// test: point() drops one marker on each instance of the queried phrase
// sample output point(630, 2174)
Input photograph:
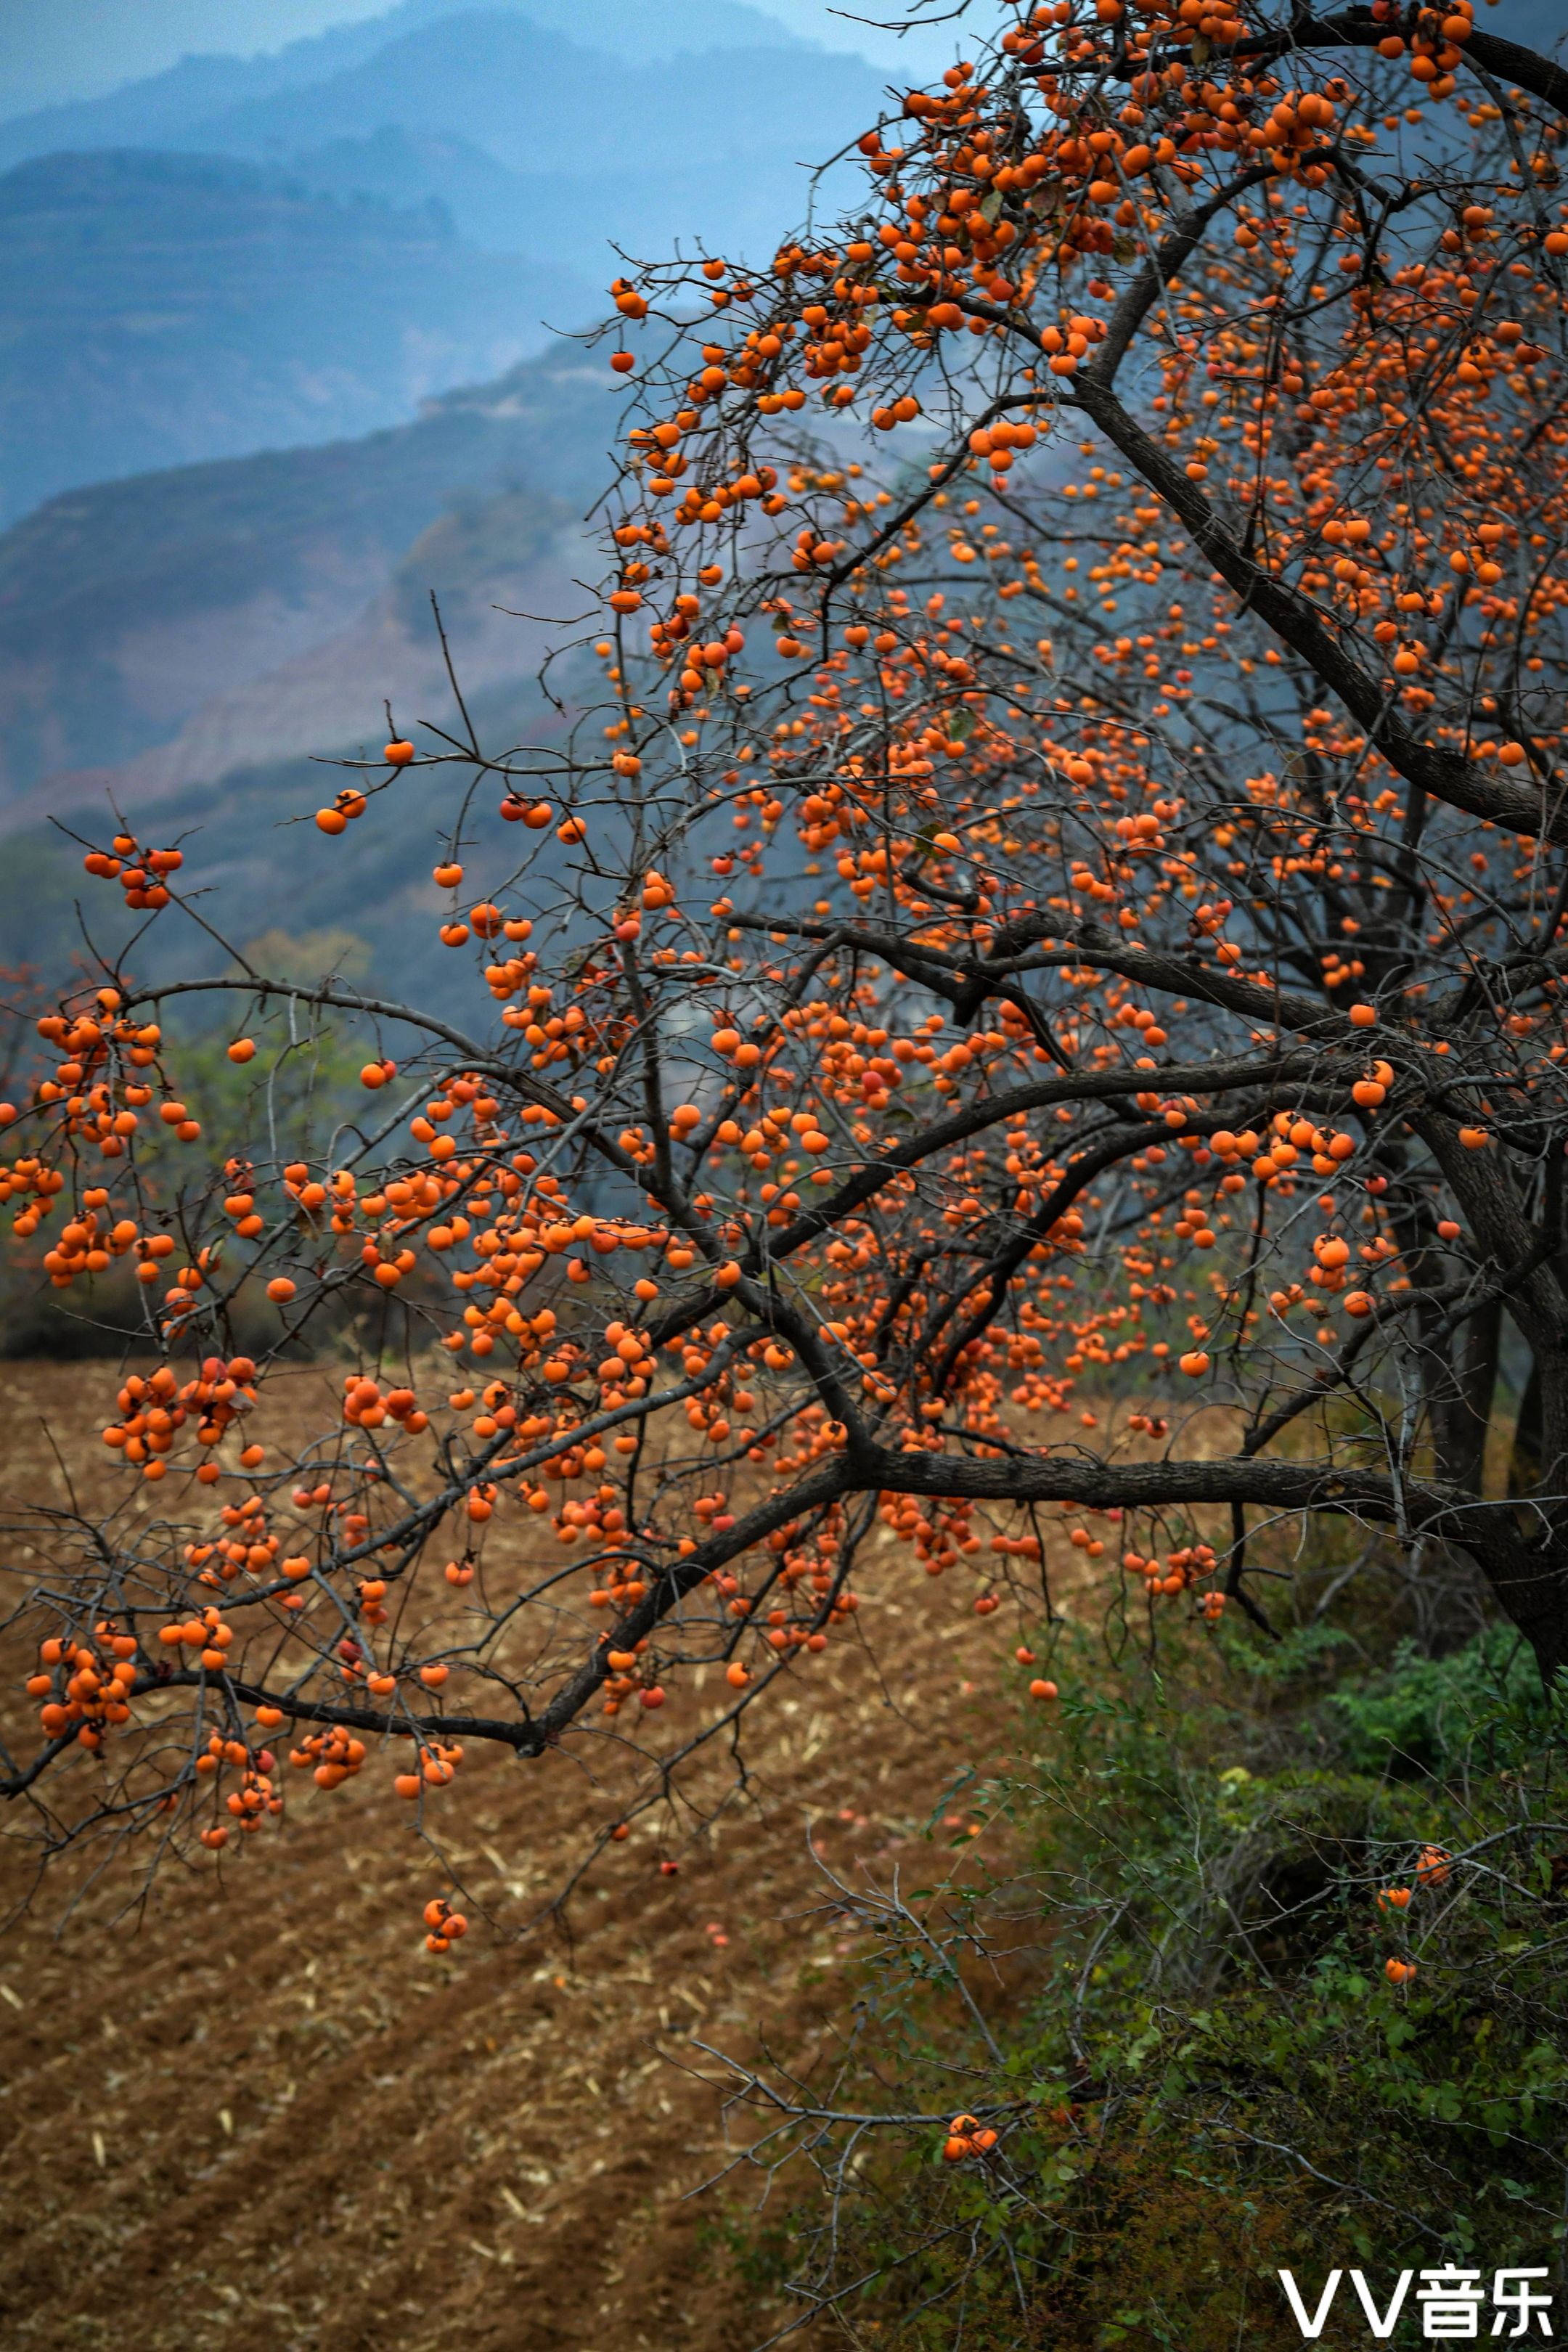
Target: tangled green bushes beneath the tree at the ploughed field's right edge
point(1172, 2010)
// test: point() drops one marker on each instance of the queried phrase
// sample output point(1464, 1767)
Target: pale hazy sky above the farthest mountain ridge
point(76, 48)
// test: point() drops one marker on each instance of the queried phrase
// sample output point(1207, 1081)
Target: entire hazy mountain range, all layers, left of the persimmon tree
point(281, 260)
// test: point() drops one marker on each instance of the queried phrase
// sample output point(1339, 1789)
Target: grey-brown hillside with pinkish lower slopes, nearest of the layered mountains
point(208, 606)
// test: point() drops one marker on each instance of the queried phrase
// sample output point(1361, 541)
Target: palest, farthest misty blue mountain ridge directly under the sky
point(544, 128)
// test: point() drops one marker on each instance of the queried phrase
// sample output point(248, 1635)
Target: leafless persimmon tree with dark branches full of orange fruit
point(1026, 994)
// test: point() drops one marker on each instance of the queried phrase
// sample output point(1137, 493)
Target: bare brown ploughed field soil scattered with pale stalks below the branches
point(253, 2113)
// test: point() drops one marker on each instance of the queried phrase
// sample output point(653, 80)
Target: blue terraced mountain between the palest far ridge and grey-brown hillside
point(161, 309)
